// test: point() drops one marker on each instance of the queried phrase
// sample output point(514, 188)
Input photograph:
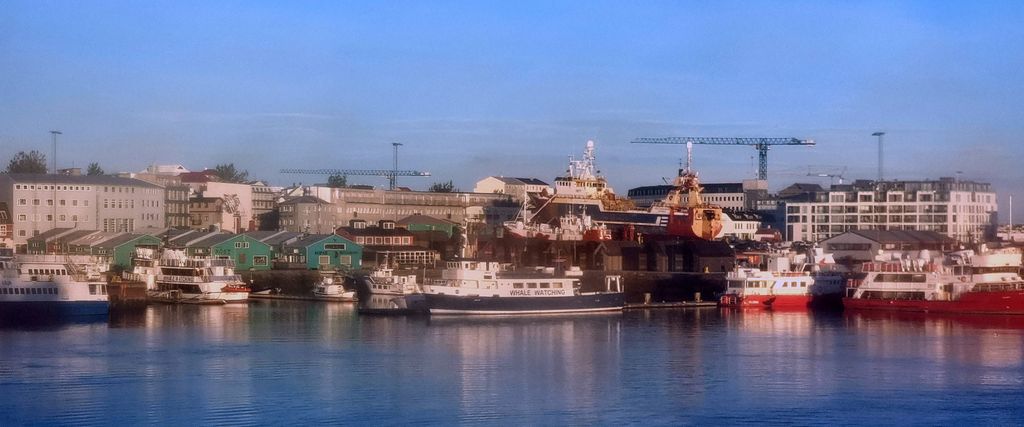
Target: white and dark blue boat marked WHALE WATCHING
point(487, 288)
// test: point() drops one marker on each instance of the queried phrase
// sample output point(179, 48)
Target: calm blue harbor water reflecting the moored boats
point(286, 362)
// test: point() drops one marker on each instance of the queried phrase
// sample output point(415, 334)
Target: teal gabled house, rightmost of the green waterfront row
point(322, 252)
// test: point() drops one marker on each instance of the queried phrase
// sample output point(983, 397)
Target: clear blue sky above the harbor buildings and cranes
point(514, 89)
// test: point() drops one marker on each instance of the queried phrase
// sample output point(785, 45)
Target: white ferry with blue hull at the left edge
point(34, 286)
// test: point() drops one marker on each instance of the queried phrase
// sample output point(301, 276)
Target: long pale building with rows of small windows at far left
point(40, 202)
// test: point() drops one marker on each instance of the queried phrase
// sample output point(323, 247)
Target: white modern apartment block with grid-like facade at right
point(962, 210)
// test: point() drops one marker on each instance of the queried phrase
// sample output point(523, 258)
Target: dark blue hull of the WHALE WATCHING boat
point(453, 305)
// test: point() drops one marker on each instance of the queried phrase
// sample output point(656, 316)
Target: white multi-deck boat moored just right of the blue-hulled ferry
point(197, 280)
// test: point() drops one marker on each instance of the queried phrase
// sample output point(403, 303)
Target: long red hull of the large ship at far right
point(1011, 303)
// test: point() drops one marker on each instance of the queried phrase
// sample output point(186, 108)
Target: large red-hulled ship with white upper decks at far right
point(985, 283)
